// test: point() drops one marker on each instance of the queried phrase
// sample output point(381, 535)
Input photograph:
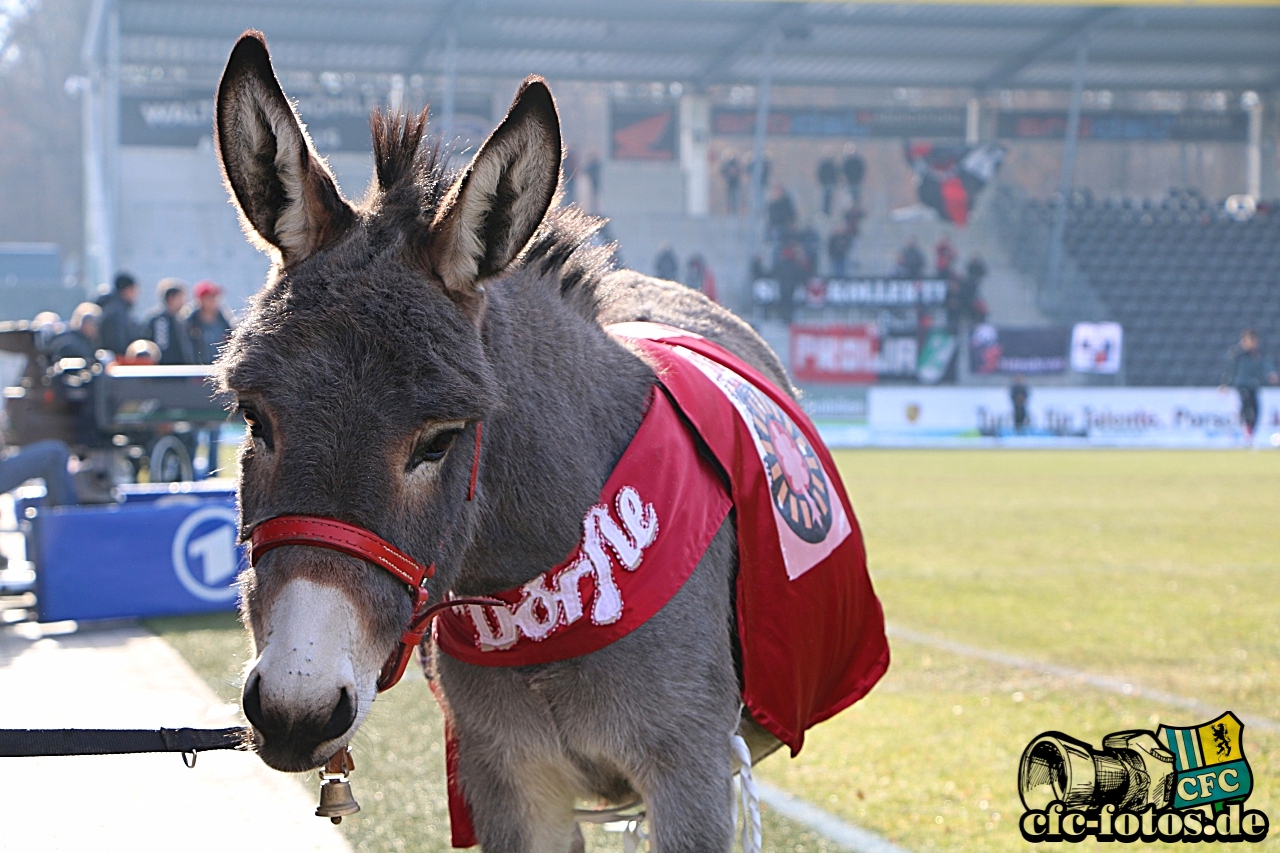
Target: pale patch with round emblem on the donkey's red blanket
point(811, 524)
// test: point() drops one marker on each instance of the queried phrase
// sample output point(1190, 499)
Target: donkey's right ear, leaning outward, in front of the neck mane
point(490, 215)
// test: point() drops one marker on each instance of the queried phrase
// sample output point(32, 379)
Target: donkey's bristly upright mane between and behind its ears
point(413, 179)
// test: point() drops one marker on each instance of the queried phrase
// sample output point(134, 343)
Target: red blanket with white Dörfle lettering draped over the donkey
point(810, 624)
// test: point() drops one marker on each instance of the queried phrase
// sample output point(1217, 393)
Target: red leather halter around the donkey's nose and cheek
point(364, 545)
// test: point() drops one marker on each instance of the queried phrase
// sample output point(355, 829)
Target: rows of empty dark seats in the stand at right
point(1181, 275)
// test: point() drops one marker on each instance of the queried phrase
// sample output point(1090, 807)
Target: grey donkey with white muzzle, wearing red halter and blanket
point(386, 332)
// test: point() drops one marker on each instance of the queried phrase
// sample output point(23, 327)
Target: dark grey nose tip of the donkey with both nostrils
point(290, 741)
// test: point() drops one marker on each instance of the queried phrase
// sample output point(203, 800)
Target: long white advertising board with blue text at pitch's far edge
point(1060, 418)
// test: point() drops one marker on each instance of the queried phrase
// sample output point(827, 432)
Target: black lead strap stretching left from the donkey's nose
point(26, 743)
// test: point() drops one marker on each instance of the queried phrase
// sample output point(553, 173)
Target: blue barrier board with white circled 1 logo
point(163, 558)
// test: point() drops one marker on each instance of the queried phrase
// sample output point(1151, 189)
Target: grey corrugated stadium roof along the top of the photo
point(703, 43)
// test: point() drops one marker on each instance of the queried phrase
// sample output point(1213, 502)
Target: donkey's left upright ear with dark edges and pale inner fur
point(285, 191)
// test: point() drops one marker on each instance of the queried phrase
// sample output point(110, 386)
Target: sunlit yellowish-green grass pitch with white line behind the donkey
point(1160, 568)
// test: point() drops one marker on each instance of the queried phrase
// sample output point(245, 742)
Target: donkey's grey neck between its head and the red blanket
point(573, 399)
